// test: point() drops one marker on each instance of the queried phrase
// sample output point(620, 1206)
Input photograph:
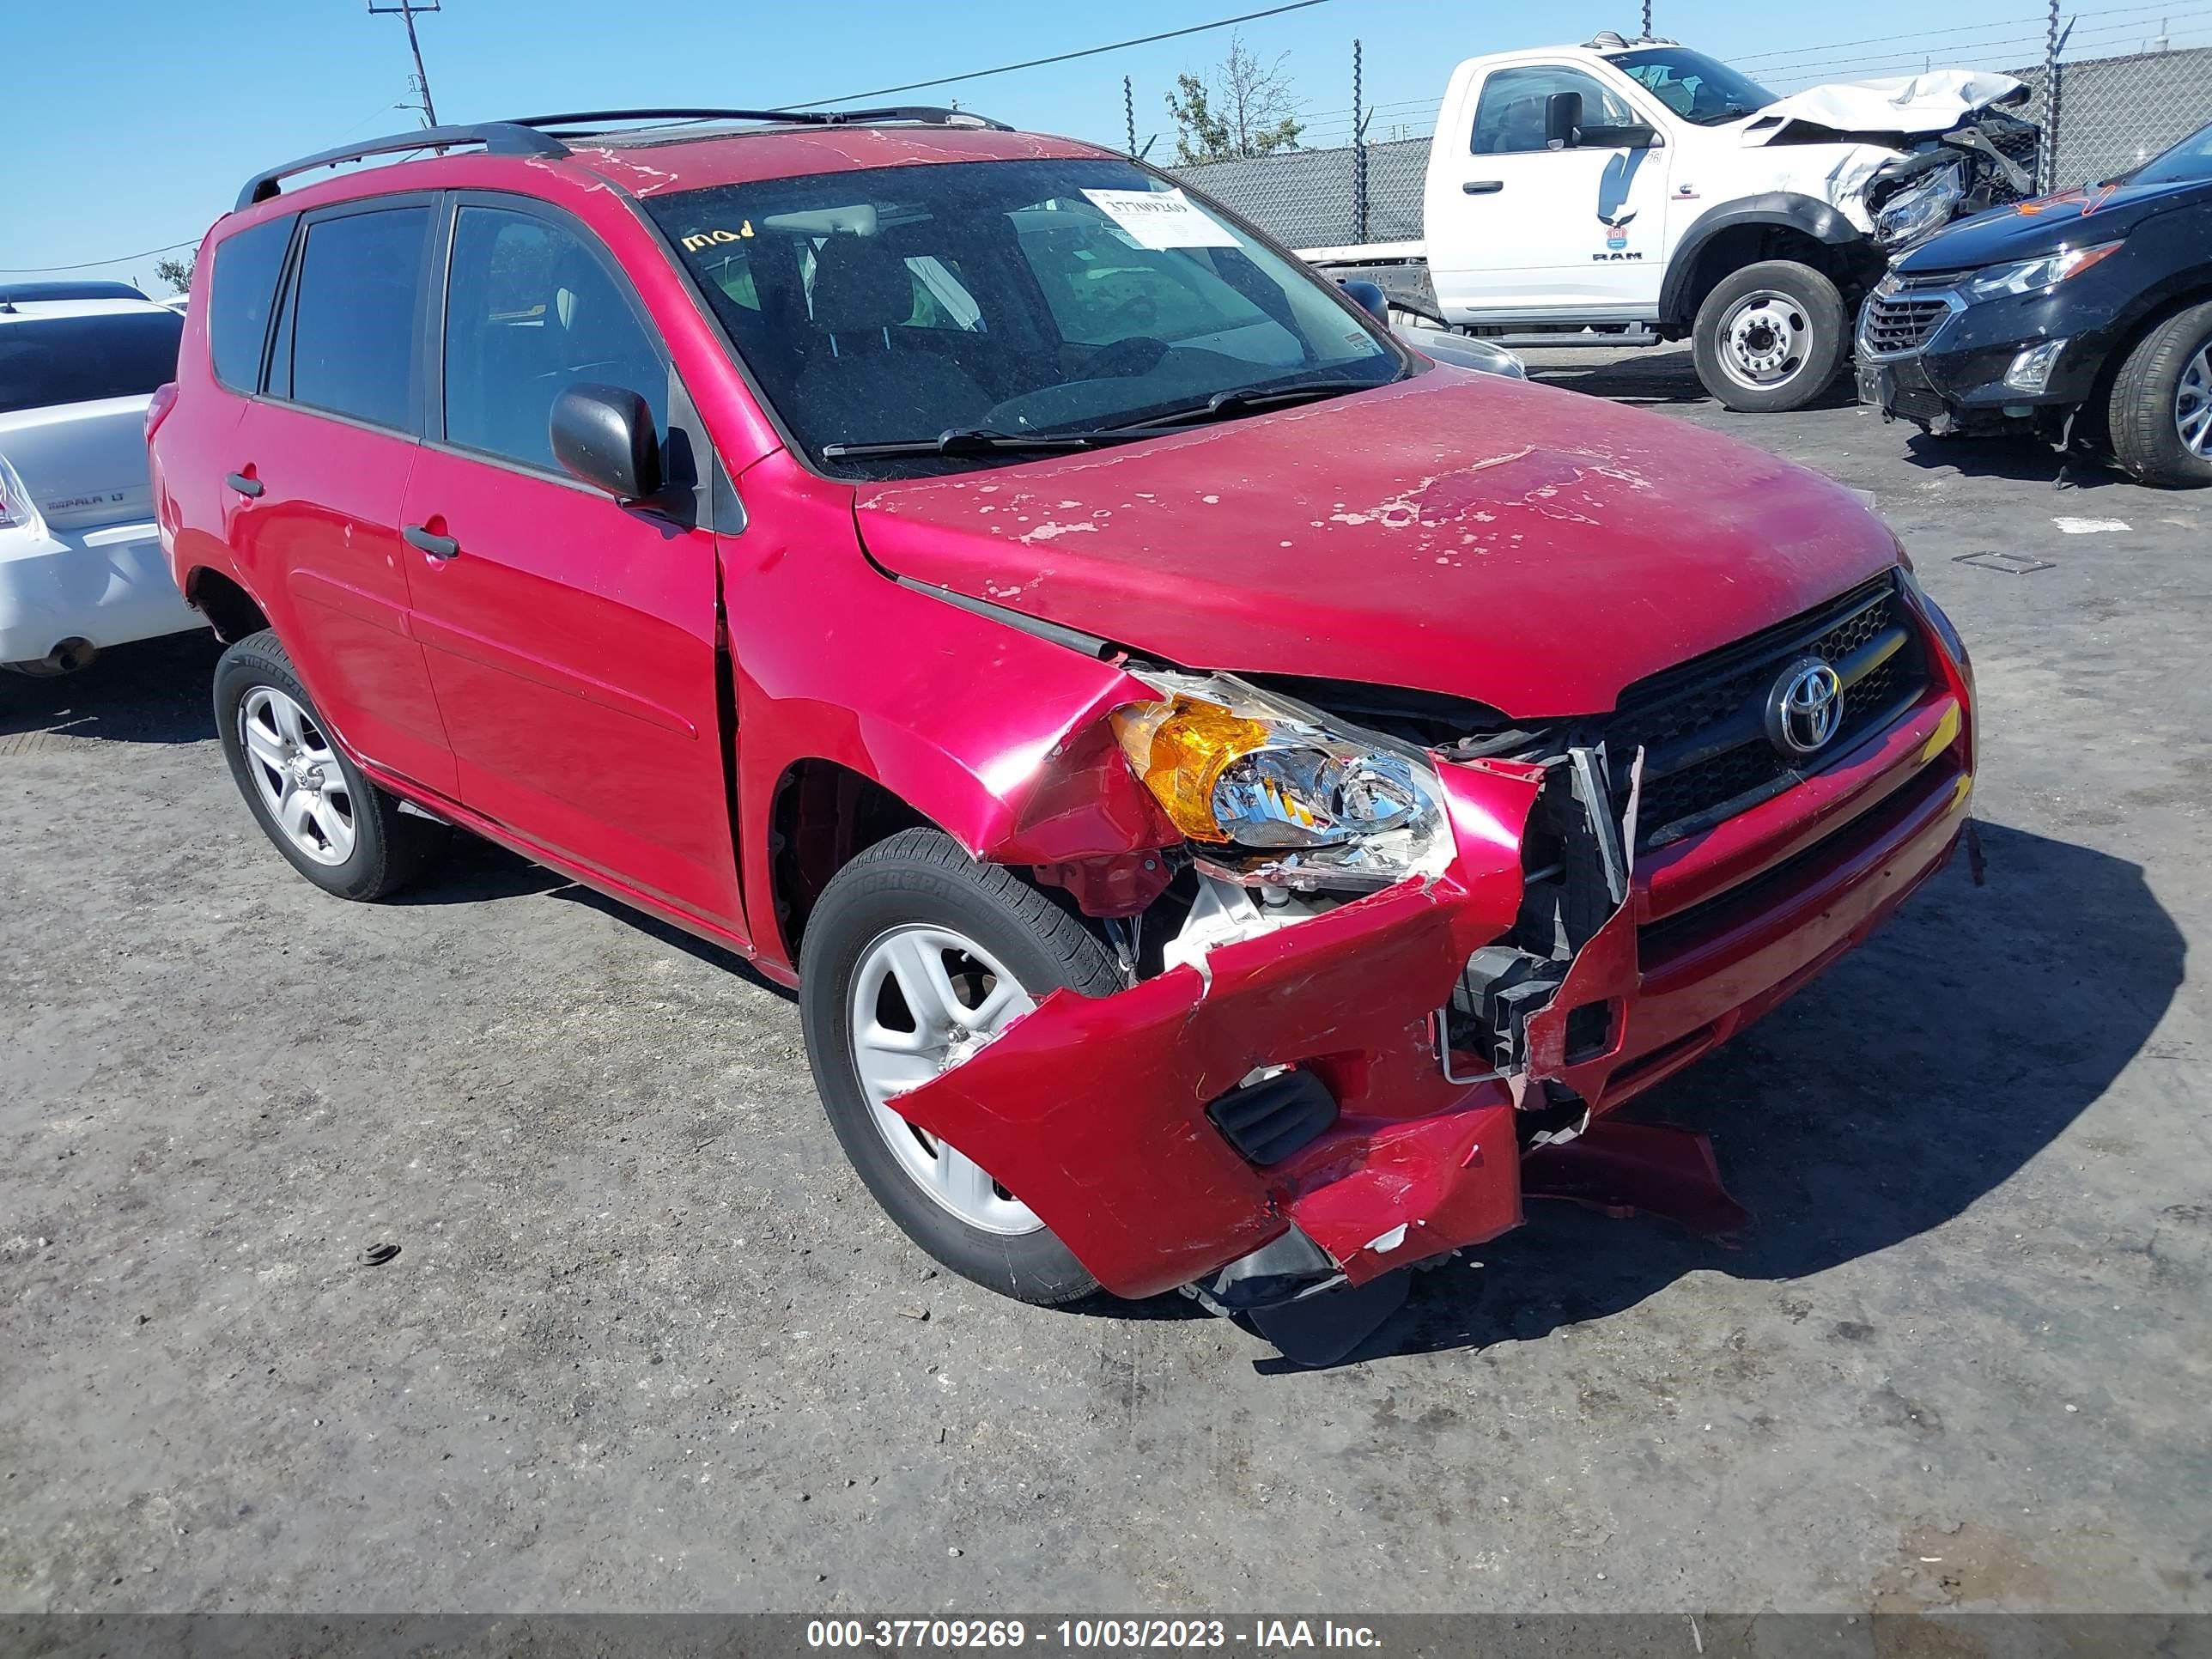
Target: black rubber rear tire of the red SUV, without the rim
point(390, 848)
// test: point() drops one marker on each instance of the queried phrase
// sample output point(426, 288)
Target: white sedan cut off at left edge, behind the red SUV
point(81, 559)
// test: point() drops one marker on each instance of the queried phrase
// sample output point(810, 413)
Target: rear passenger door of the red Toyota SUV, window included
point(320, 470)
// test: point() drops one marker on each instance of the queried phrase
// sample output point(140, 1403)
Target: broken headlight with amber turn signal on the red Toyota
point(1284, 800)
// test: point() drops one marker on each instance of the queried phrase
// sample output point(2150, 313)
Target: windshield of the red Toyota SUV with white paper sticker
point(1008, 298)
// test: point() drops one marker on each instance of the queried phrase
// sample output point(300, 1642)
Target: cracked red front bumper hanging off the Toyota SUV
point(1096, 1112)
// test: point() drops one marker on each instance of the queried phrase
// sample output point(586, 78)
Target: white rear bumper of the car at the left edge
point(107, 585)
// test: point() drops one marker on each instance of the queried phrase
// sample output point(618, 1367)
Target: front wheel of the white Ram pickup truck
point(1771, 337)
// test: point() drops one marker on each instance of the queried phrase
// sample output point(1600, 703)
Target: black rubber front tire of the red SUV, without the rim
point(926, 877)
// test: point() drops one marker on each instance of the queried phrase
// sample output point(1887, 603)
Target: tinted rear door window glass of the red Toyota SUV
point(353, 324)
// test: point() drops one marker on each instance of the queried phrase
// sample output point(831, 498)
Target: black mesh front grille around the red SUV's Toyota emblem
point(1702, 727)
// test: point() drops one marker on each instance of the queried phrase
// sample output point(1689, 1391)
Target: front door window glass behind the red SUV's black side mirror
point(530, 313)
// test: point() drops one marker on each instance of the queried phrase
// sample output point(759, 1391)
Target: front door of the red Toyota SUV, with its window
point(572, 640)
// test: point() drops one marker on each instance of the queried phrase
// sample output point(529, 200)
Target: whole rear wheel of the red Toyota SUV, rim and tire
point(335, 826)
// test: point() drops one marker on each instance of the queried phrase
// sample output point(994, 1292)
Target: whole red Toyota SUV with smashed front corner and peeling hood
point(1238, 800)
